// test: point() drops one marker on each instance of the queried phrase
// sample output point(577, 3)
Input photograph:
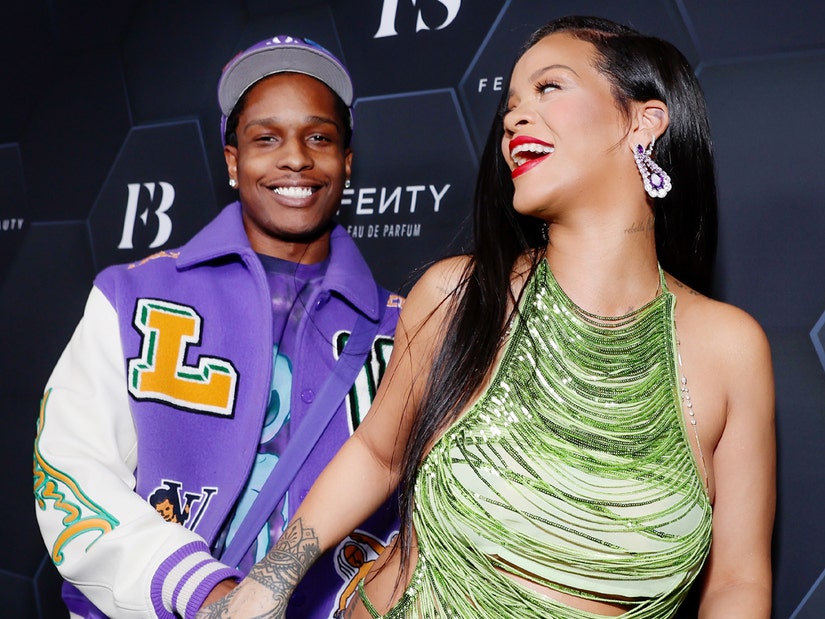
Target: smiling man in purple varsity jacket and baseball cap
point(192, 371)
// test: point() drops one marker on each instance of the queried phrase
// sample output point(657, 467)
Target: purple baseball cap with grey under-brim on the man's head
point(281, 54)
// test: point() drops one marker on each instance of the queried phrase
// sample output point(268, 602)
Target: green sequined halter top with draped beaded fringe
point(573, 470)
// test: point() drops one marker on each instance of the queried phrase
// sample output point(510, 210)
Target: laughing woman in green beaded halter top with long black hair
point(570, 422)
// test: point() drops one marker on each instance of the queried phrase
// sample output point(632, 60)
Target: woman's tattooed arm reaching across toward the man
point(365, 471)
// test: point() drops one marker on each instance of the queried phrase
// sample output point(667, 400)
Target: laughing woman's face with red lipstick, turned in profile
point(563, 131)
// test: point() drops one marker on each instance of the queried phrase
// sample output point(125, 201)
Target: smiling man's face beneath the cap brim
point(290, 165)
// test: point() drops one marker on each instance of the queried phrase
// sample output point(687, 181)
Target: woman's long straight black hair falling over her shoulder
point(640, 68)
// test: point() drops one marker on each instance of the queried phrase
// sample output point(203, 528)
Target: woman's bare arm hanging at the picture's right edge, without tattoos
point(738, 573)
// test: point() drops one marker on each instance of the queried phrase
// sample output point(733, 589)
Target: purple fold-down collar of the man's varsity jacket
point(348, 274)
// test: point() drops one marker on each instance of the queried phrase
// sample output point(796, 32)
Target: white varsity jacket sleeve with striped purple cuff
point(103, 537)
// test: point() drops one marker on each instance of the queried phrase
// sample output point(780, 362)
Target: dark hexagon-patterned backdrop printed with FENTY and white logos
point(110, 150)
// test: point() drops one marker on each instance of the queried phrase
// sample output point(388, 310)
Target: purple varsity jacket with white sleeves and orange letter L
point(160, 395)
